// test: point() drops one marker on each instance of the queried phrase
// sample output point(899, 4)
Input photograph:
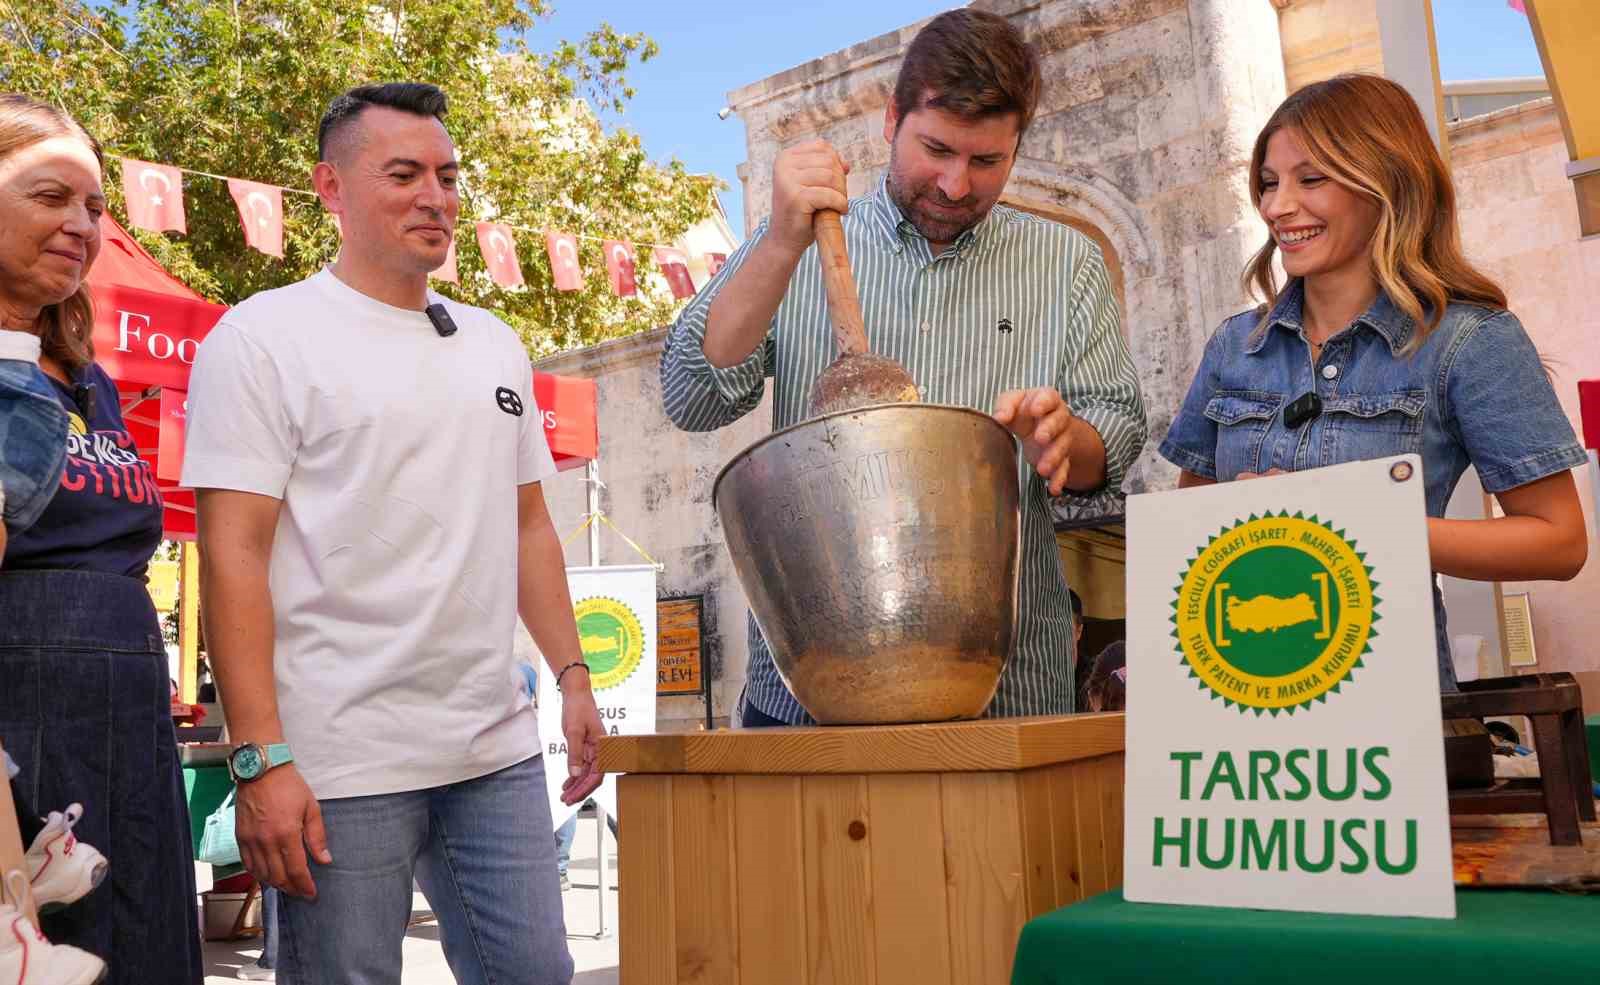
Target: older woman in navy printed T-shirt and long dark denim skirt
point(84, 704)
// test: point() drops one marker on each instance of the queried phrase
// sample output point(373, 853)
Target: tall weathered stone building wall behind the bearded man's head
point(1143, 137)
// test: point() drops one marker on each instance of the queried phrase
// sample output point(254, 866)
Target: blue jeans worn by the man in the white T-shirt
point(492, 887)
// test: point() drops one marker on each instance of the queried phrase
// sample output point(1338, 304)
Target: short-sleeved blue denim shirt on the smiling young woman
point(1473, 394)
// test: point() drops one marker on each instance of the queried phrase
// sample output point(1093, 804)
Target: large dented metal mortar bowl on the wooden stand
point(879, 551)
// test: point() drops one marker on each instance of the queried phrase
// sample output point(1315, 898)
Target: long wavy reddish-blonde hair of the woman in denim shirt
point(1369, 135)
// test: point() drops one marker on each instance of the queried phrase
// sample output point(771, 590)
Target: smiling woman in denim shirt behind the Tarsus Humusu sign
point(1409, 348)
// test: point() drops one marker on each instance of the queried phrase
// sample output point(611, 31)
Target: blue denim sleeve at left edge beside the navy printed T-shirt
point(33, 444)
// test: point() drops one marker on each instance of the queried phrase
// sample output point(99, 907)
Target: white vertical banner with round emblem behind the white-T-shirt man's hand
point(615, 608)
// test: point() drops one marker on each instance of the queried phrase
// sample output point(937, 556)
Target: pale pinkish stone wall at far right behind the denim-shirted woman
point(1521, 223)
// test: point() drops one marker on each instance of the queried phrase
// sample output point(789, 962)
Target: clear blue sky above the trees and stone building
point(711, 49)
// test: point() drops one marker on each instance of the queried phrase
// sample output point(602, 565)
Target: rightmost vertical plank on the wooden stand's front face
point(983, 851)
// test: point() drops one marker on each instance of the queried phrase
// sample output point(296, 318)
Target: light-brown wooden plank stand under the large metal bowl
point(884, 856)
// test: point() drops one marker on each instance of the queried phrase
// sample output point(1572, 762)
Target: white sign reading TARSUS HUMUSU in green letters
point(1284, 724)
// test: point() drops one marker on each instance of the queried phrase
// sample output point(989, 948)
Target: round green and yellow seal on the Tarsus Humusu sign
point(1274, 613)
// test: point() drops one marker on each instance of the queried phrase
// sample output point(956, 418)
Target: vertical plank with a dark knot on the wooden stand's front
point(838, 882)
